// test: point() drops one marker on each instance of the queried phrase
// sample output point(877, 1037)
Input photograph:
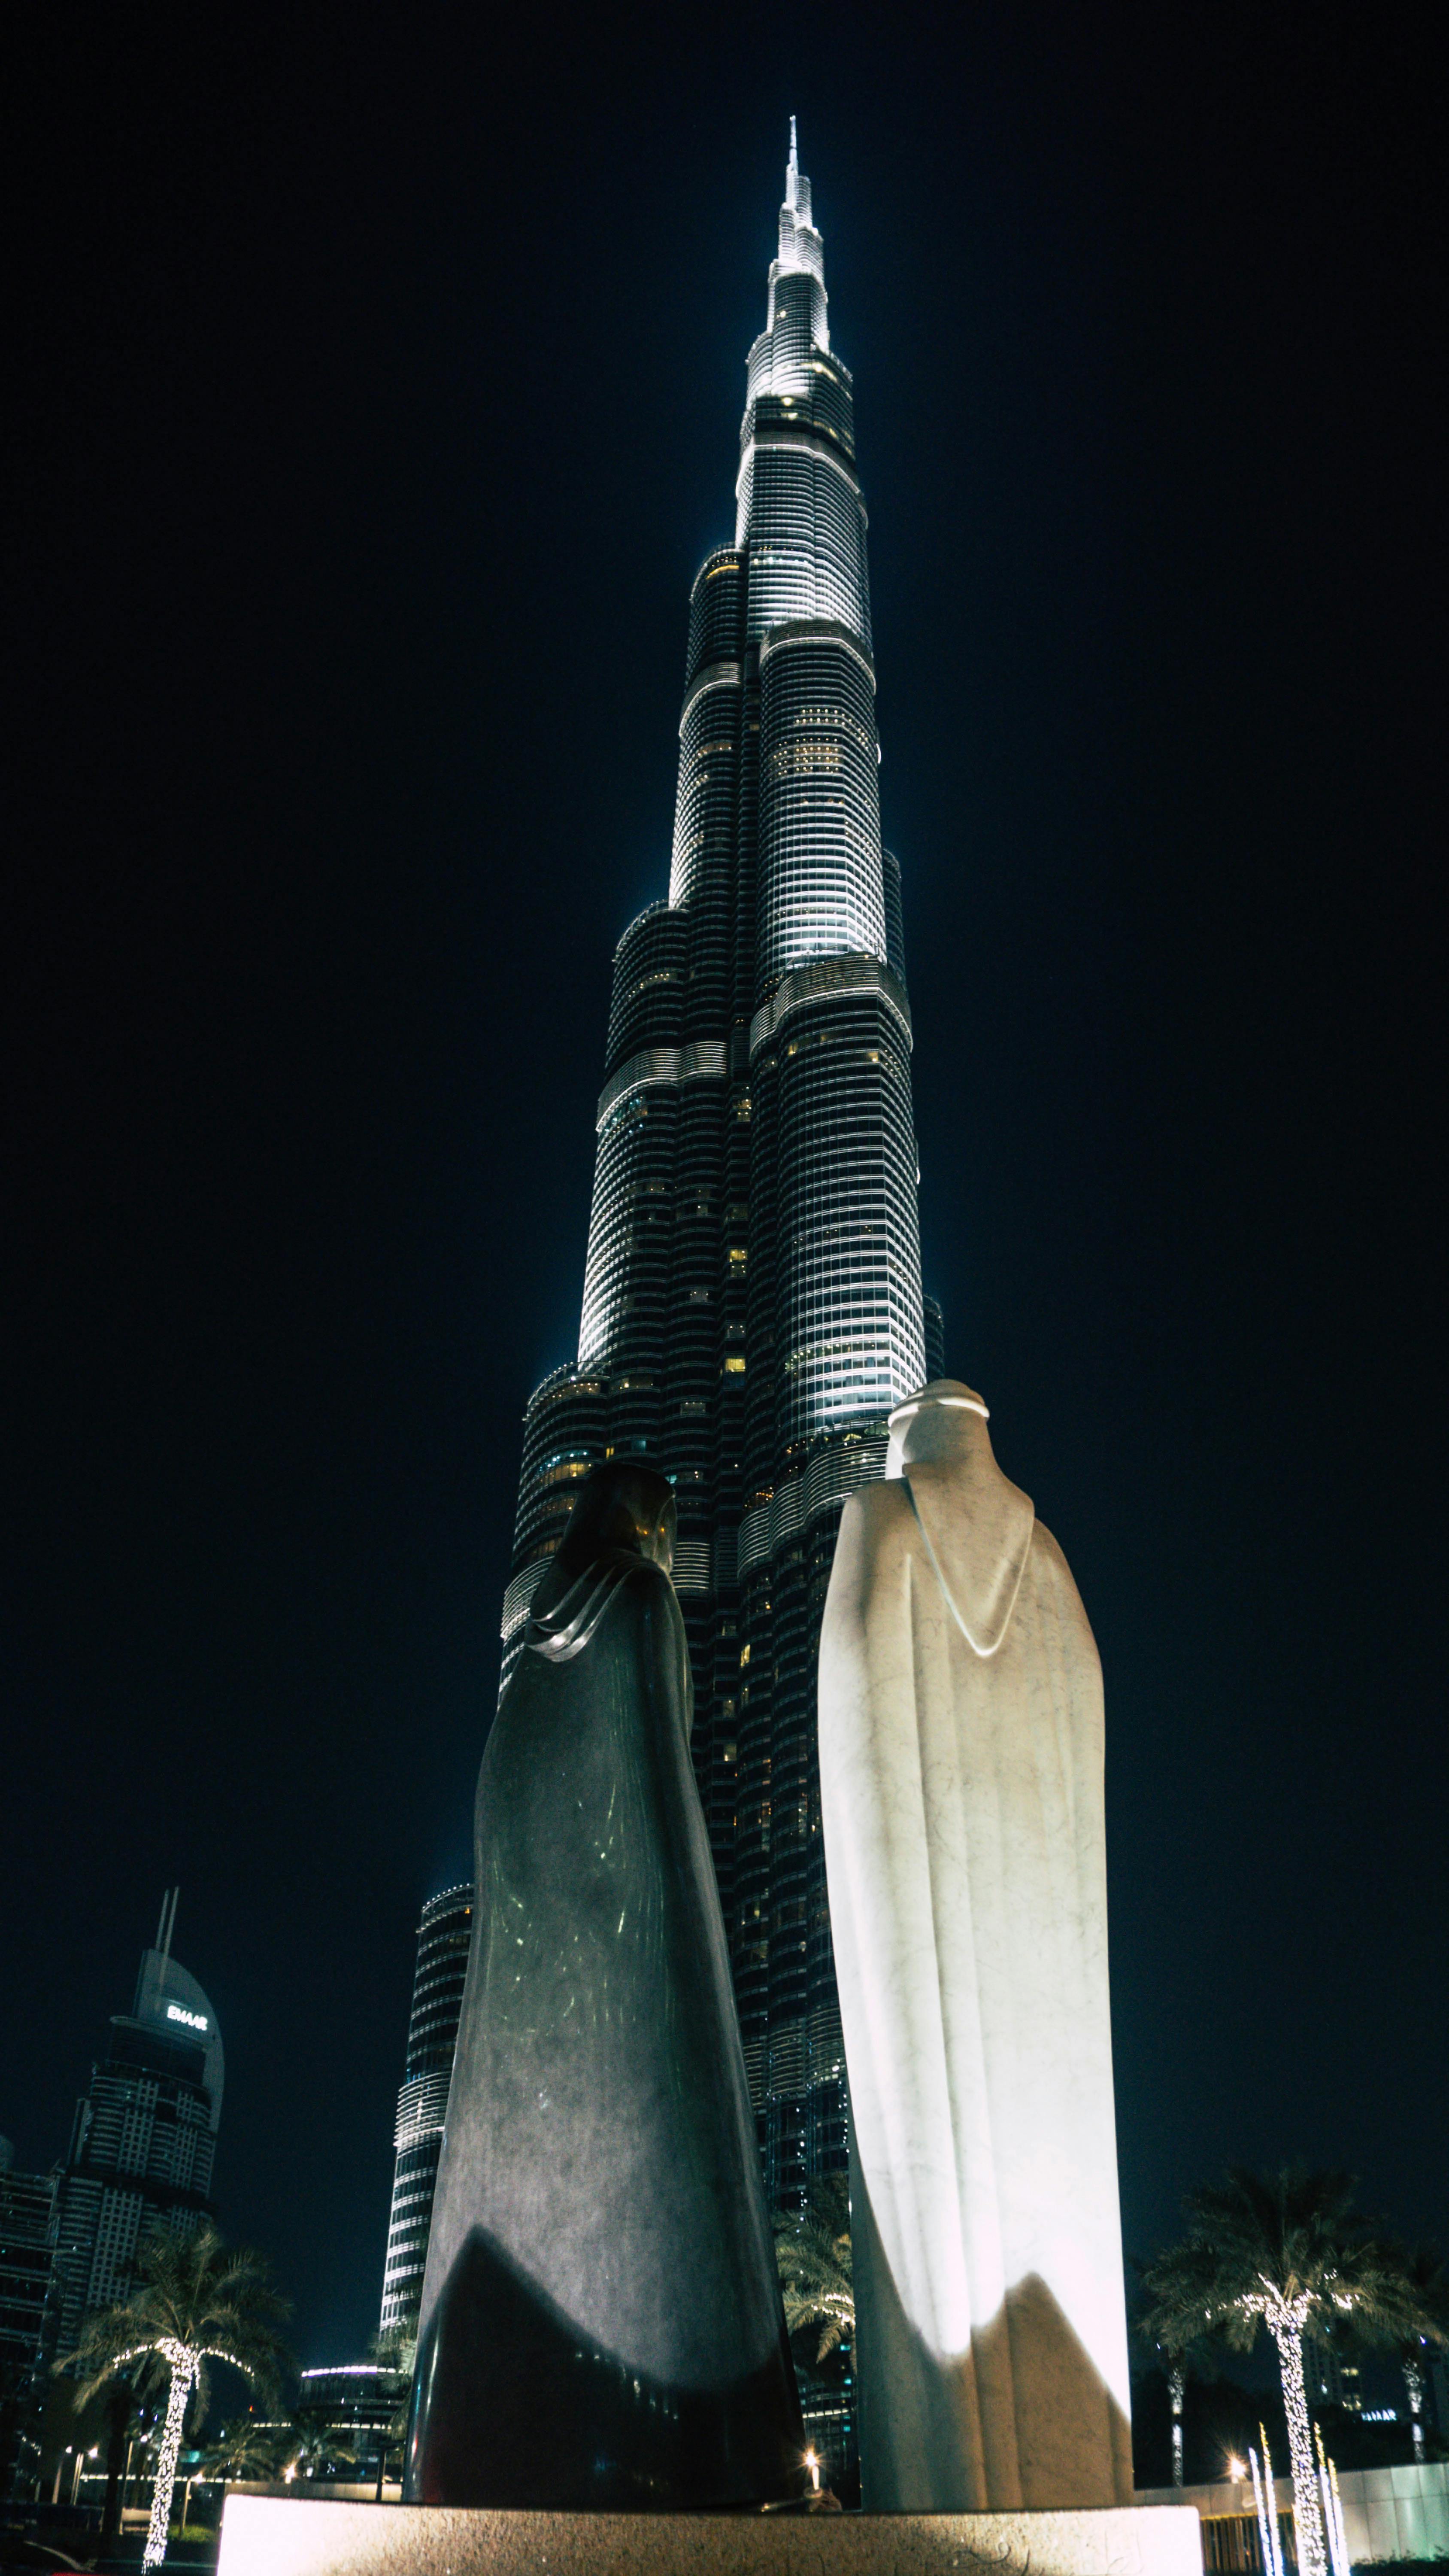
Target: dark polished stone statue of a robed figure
point(601, 2315)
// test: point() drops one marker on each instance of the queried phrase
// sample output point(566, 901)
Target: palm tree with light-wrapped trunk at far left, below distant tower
point(194, 2304)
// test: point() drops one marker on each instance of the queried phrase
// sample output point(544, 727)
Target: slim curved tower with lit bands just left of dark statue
point(423, 2103)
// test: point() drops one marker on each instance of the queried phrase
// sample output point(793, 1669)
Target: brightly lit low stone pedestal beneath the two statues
point(266, 2536)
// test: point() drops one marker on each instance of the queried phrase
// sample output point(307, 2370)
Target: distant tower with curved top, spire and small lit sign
point(145, 2137)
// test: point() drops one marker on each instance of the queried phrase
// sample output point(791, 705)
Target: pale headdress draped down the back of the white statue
point(977, 1529)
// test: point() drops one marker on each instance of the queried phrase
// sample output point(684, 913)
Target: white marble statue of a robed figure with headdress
point(961, 1792)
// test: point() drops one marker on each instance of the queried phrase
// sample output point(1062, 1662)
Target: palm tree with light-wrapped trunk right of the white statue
point(1288, 2255)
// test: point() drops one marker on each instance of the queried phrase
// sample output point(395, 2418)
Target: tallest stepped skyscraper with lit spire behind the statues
point(753, 1284)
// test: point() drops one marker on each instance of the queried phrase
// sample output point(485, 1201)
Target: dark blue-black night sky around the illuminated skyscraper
point(374, 401)
